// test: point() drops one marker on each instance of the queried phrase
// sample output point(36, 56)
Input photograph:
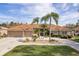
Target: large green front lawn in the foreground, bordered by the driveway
point(38, 50)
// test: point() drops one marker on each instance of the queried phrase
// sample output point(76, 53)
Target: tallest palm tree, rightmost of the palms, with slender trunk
point(55, 17)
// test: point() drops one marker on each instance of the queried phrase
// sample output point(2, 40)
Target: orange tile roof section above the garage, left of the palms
point(24, 27)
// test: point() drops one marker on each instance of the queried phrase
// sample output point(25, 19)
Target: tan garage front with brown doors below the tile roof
point(19, 33)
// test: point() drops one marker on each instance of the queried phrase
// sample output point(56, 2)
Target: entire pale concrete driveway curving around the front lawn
point(7, 44)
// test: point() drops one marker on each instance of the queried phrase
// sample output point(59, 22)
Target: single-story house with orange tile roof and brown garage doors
point(26, 30)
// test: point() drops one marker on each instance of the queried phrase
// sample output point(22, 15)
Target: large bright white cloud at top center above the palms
point(38, 9)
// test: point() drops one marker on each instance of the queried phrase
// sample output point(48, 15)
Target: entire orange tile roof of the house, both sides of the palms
point(29, 27)
